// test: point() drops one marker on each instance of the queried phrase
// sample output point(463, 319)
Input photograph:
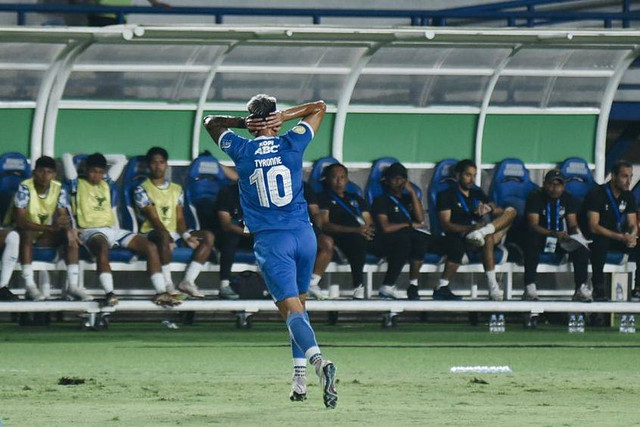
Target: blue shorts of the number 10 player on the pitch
point(286, 259)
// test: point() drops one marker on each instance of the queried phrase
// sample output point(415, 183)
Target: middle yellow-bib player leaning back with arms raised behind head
point(99, 230)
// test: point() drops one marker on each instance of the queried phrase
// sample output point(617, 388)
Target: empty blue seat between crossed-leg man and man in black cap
point(511, 185)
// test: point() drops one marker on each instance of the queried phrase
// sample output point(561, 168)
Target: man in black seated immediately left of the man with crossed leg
point(400, 218)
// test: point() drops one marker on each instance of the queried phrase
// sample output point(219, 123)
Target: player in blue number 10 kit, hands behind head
point(275, 212)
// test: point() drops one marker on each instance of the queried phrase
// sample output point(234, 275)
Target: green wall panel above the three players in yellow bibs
point(130, 132)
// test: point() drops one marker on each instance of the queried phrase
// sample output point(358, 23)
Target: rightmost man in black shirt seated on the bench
point(610, 213)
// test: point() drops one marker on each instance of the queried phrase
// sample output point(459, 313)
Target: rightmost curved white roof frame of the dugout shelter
point(605, 110)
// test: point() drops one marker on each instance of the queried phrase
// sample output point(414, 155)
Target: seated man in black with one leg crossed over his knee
point(467, 214)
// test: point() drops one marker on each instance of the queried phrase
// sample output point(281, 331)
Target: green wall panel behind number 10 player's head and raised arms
point(319, 147)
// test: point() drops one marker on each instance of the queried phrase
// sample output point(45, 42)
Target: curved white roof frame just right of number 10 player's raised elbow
point(337, 144)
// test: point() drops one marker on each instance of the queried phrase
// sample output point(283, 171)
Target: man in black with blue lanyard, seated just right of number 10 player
point(346, 217)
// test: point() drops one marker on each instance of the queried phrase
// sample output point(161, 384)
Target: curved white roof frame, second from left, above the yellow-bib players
point(51, 118)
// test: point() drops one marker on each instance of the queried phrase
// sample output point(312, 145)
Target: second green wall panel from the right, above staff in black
point(409, 137)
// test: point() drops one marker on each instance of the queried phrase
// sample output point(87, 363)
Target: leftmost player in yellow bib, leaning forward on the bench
point(42, 214)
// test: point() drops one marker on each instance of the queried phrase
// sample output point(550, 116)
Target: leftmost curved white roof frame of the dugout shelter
point(42, 99)
